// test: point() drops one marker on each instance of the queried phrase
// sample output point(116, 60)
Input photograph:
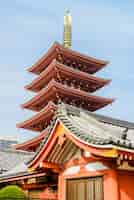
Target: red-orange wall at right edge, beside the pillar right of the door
point(126, 185)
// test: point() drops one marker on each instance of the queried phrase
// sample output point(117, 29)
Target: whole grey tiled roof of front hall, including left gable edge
point(92, 130)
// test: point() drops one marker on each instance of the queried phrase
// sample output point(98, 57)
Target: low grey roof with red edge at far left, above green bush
point(13, 165)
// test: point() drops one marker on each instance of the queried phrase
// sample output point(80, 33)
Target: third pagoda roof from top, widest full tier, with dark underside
point(55, 91)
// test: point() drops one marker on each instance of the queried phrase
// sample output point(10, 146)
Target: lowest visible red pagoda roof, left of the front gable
point(32, 142)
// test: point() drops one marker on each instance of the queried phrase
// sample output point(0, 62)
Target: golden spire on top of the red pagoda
point(67, 29)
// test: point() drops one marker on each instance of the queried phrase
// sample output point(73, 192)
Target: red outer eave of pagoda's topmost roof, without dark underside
point(55, 48)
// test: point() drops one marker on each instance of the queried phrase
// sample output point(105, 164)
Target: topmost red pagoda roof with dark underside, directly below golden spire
point(70, 57)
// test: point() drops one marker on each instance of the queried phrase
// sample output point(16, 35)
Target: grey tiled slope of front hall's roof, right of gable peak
point(92, 131)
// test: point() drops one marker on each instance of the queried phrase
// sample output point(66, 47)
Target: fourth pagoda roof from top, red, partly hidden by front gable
point(46, 112)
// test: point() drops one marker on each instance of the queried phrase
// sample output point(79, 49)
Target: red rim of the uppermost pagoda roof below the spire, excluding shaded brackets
point(58, 49)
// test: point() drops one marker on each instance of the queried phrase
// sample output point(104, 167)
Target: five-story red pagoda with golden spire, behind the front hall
point(64, 76)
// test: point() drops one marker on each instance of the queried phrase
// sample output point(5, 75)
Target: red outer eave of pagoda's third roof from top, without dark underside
point(54, 87)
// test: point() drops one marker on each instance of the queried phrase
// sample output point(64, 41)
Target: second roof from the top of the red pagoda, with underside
point(65, 74)
